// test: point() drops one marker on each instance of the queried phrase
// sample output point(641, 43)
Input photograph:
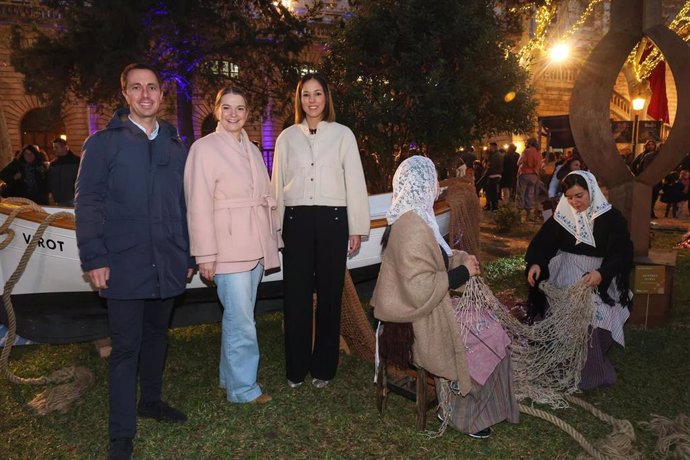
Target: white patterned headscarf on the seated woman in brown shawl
point(414, 189)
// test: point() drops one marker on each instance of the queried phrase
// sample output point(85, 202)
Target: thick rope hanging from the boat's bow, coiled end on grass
point(71, 382)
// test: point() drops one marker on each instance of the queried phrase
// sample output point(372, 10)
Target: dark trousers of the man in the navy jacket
point(139, 334)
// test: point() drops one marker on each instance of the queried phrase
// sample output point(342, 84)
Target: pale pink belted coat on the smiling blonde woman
point(231, 210)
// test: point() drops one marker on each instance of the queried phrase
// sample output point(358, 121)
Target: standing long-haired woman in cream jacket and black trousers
point(319, 185)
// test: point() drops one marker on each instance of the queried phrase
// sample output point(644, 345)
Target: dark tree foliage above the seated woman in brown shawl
point(412, 76)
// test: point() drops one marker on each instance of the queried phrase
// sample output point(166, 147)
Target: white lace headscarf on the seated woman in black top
point(580, 224)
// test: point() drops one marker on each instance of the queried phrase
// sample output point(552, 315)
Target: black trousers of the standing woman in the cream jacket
point(314, 259)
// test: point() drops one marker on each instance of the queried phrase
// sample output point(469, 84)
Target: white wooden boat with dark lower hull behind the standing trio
point(54, 302)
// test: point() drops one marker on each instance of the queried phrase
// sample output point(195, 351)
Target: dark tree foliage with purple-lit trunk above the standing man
point(93, 41)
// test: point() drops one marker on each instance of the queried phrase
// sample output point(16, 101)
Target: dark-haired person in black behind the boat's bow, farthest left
point(27, 176)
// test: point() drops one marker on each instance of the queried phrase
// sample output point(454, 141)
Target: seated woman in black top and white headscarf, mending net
point(586, 238)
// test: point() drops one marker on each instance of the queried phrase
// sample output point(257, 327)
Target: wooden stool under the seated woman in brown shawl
point(414, 386)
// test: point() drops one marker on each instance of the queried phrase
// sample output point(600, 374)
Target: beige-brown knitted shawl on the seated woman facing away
point(413, 287)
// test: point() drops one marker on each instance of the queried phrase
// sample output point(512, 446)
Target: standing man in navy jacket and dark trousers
point(133, 245)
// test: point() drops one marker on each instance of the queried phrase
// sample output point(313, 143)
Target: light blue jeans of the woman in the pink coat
point(239, 348)
